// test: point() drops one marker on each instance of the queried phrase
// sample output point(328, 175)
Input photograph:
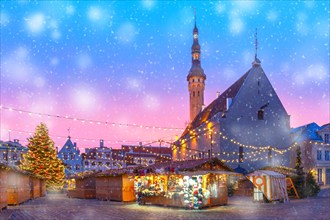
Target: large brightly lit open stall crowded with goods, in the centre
point(190, 184)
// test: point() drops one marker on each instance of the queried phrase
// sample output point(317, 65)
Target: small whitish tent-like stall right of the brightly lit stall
point(268, 185)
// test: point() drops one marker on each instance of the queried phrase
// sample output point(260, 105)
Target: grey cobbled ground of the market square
point(58, 206)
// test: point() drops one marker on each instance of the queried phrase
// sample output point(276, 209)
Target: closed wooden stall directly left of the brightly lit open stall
point(115, 185)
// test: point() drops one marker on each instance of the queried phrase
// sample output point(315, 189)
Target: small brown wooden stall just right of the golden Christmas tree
point(82, 186)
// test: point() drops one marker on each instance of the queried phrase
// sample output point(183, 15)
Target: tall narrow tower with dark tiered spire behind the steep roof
point(196, 77)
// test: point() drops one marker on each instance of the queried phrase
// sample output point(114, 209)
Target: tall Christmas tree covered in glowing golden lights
point(41, 159)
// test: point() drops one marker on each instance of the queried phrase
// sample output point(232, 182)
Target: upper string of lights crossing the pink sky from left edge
point(90, 121)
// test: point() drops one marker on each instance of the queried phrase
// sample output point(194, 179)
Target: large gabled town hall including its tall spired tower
point(246, 125)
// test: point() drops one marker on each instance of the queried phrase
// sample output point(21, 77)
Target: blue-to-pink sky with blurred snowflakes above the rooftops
point(126, 62)
